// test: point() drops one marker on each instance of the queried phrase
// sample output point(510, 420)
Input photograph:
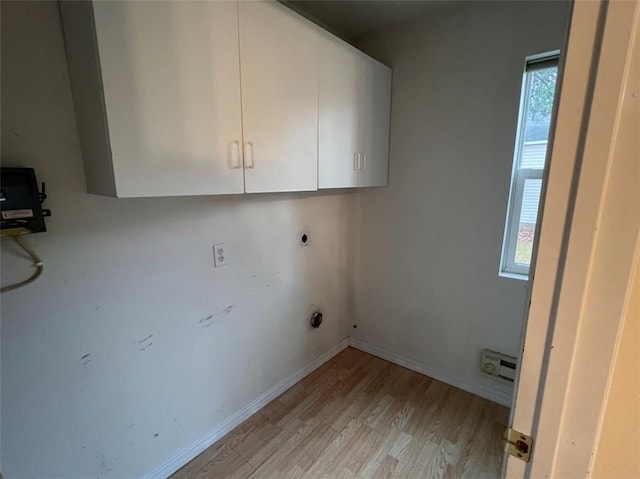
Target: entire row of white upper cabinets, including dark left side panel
point(220, 97)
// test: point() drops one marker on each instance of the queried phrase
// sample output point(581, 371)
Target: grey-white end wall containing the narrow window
point(429, 248)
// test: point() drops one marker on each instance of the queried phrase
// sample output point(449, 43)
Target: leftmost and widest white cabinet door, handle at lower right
point(171, 80)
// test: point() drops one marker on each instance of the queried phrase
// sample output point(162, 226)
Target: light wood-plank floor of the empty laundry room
point(359, 416)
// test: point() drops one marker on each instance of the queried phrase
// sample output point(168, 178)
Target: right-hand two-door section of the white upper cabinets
point(355, 104)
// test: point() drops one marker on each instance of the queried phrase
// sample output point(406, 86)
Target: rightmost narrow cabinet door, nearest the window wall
point(375, 114)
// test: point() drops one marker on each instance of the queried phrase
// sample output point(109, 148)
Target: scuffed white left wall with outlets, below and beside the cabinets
point(119, 271)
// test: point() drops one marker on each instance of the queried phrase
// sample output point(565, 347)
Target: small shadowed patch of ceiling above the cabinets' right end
point(353, 19)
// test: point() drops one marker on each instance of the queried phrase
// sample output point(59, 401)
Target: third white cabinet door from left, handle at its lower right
point(339, 104)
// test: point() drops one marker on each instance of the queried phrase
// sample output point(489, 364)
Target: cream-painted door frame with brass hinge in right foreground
point(582, 263)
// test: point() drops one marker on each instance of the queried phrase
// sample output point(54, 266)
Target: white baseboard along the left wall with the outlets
point(190, 451)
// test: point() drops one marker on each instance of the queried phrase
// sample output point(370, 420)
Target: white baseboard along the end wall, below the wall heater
point(481, 390)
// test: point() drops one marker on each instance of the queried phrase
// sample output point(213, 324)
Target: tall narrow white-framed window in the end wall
point(534, 120)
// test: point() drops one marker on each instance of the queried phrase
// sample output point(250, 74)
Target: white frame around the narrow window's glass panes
point(508, 267)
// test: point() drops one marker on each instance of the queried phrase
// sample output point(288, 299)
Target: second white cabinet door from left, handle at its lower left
point(279, 98)
